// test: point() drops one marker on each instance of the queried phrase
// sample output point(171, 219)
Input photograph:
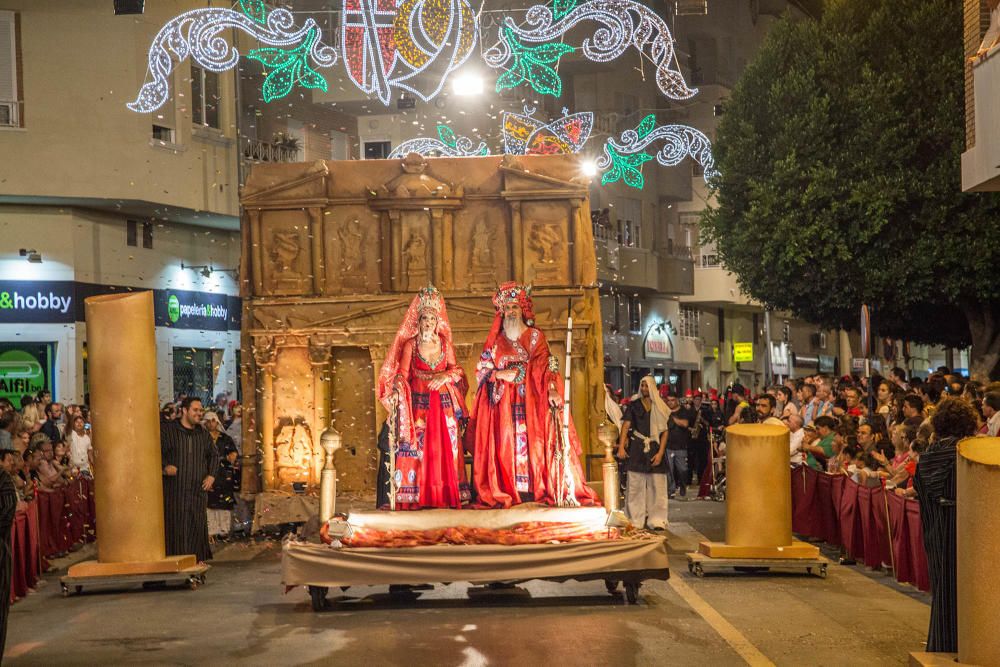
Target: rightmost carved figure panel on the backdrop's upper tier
point(546, 248)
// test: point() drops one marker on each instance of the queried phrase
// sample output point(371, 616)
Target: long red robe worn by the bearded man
point(511, 431)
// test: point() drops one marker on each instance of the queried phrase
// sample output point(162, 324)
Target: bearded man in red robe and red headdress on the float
point(515, 425)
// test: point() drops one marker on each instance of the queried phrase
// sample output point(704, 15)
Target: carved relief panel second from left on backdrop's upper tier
point(352, 246)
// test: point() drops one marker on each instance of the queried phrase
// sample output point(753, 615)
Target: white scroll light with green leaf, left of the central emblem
point(198, 34)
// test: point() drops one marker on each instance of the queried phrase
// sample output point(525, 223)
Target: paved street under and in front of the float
point(242, 617)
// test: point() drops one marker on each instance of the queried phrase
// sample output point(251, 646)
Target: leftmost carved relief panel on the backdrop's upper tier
point(286, 250)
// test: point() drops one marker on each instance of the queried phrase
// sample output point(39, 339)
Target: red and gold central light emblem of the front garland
point(412, 47)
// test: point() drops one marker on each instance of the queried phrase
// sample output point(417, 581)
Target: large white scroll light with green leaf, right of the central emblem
point(625, 23)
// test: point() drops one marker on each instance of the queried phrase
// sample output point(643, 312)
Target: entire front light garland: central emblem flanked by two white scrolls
point(412, 46)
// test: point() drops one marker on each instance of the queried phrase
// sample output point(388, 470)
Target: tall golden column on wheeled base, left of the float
point(121, 350)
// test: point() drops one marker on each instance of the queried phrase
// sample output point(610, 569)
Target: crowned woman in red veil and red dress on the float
point(421, 379)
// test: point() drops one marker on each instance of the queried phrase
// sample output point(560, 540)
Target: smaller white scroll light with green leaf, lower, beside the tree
point(623, 158)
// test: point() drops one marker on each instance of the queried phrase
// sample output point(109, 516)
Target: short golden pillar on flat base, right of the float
point(758, 496)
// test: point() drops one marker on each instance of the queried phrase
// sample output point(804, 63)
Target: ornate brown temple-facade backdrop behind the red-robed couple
point(332, 253)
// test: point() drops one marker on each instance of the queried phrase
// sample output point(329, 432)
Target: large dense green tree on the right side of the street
point(840, 181)
